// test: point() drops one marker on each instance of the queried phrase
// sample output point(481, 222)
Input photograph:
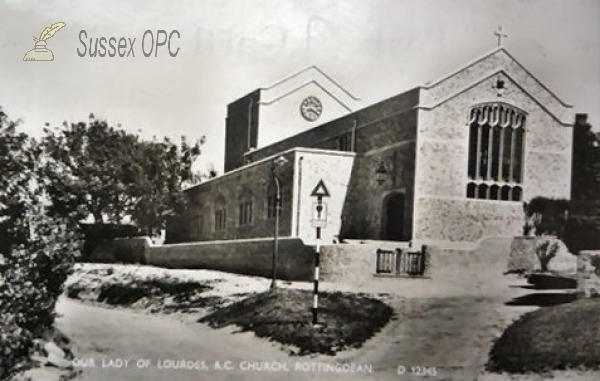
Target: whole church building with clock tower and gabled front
point(450, 161)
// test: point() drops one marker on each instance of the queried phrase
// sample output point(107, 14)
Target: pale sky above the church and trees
point(228, 48)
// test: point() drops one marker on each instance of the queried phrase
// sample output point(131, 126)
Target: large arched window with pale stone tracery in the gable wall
point(496, 144)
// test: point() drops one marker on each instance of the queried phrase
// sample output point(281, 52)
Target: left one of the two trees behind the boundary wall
point(87, 170)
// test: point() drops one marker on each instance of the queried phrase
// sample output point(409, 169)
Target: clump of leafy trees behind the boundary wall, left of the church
point(95, 169)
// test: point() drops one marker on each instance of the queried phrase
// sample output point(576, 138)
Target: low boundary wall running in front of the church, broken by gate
point(352, 263)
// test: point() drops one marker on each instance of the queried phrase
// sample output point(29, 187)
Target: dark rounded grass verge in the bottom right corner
point(565, 336)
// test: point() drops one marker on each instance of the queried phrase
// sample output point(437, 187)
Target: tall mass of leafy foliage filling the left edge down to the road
point(37, 251)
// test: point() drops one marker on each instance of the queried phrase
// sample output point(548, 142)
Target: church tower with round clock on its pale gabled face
point(297, 103)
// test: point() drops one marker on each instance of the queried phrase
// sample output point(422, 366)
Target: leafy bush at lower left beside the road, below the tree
point(31, 280)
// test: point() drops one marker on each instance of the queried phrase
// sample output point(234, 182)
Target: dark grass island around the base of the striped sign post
point(345, 320)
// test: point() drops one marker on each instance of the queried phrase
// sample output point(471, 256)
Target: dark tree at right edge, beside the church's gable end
point(586, 161)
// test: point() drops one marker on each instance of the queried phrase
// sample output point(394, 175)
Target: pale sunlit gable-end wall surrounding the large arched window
point(442, 210)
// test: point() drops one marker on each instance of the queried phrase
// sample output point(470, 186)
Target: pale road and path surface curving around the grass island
point(441, 331)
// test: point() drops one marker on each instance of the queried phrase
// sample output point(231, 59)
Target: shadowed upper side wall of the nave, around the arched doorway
point(384, 133)
